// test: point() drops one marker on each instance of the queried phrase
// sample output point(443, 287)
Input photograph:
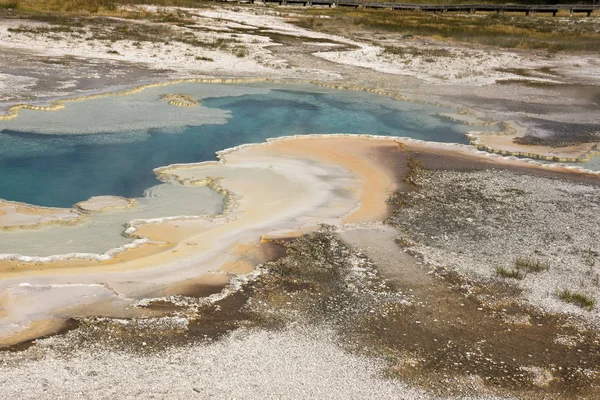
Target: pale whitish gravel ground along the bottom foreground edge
point(291, 364)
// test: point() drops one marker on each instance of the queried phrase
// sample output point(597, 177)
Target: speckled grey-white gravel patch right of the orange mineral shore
point(477, 222)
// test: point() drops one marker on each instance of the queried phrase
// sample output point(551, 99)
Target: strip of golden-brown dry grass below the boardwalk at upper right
point(508, 31)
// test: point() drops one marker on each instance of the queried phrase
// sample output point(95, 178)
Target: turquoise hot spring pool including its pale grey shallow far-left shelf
point(109, 146)
